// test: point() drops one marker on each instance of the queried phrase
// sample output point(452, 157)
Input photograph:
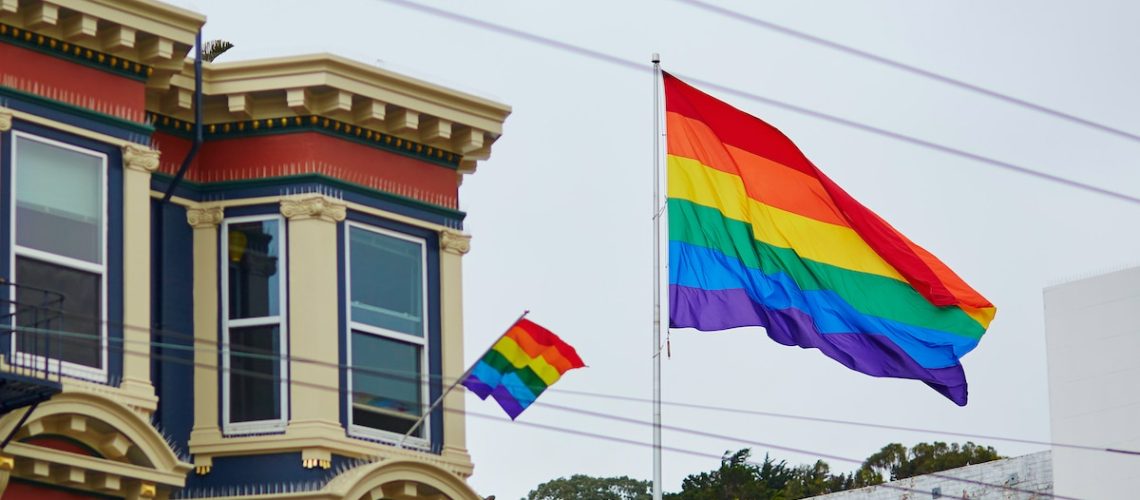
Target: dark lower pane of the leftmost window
point(74, 327)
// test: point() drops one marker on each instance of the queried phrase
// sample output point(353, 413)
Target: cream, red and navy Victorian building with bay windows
point(235, 281)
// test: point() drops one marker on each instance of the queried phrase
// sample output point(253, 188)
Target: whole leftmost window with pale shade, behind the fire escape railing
point(59, 226)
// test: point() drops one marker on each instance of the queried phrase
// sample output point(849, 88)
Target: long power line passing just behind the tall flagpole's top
point(796, 109)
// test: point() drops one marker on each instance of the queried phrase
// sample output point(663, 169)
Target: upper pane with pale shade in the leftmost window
point(59, 201)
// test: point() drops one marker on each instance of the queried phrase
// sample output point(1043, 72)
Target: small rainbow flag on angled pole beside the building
point(520, 366)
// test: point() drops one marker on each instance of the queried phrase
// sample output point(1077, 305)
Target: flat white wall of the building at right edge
point(1093, 333)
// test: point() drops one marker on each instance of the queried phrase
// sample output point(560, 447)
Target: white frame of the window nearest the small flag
point(365, 432)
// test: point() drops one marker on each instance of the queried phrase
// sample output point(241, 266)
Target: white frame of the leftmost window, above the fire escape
point(56, 366)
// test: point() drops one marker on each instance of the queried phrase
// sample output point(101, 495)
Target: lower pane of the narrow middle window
point(255, 379)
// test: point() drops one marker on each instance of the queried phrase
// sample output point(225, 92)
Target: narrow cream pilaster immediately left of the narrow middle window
point(206, 223)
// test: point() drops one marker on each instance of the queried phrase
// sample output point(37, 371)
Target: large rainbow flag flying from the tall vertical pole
point(759, 236)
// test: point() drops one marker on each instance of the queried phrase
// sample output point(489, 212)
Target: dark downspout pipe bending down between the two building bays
point(157, 318)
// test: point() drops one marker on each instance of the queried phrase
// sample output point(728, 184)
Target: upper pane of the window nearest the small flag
point(387, 282)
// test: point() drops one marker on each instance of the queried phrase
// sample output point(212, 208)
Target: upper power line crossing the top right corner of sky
point(909, 69)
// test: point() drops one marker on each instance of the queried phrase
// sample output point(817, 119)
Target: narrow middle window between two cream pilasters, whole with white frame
point(254, 325)
